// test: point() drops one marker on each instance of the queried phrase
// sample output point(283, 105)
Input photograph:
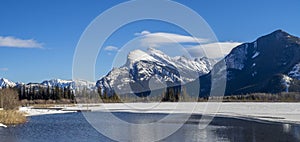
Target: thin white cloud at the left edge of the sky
point(10, 41)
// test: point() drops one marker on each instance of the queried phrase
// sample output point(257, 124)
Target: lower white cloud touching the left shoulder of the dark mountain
point(212, 50)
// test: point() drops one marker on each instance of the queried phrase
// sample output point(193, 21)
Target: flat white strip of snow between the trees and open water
point(278, 112)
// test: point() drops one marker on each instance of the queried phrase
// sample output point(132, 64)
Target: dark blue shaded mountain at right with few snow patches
point(270, 64)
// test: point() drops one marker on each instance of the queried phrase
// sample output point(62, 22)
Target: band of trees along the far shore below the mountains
point(37, 94)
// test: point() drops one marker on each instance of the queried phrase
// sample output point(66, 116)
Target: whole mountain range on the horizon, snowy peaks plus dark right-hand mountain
point(270, 64)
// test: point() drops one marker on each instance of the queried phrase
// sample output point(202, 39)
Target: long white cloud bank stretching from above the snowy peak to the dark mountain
point(196, 47)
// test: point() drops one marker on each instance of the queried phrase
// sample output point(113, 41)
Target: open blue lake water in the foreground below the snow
point(73, 127)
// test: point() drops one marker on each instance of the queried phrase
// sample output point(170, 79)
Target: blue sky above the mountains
point(38, 38)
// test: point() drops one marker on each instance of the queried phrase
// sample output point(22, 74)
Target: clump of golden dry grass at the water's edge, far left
point(12, 117)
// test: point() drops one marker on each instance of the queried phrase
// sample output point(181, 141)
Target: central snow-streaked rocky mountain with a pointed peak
point(142, 66)
